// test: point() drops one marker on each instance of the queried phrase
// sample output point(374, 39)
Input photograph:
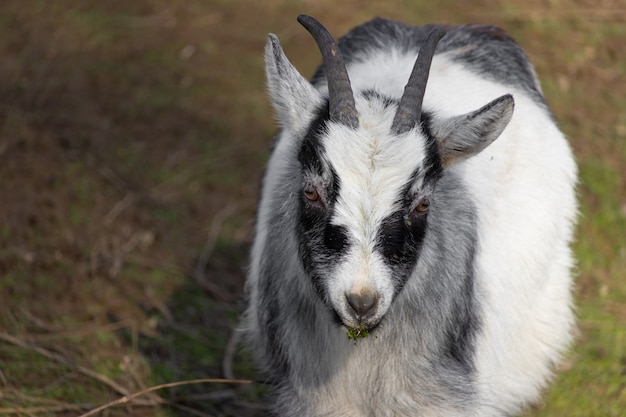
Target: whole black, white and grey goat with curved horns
point(389, 210)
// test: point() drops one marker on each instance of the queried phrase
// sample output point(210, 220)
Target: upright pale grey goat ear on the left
point(293, 97)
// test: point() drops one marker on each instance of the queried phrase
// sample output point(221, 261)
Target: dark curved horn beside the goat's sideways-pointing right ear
point(410, 107)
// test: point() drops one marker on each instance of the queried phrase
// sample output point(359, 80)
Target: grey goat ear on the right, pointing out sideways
point(464, 136)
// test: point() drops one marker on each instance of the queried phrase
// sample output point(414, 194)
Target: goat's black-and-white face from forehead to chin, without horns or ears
point(363, 210)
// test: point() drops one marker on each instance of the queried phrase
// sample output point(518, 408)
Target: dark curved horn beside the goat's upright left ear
point(341, 100)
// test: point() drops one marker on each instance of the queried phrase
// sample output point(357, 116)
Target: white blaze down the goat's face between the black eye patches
point(373, 166)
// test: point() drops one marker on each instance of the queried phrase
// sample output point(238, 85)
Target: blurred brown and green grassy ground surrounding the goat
point(133, 135)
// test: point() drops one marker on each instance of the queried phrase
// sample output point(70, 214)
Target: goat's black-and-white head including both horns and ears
point(369, 166)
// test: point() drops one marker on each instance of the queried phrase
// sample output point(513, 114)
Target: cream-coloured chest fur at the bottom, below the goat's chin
point(375, 380)
